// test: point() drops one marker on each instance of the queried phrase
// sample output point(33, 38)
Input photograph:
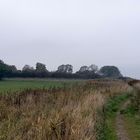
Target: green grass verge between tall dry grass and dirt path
point(108, 131)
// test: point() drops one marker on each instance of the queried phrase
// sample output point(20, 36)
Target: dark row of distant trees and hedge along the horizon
point(63, 71)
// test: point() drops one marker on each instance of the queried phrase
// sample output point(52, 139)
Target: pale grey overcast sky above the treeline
point(79, 32)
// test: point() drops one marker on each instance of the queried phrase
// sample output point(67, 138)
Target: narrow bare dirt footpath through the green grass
point(121, 132)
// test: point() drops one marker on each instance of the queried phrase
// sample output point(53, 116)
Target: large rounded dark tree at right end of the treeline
point(110, 71)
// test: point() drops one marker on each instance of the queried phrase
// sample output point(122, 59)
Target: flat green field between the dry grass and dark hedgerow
point(12, 85)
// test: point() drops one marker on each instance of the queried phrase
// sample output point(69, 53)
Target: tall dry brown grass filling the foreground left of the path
point(56, 114)
